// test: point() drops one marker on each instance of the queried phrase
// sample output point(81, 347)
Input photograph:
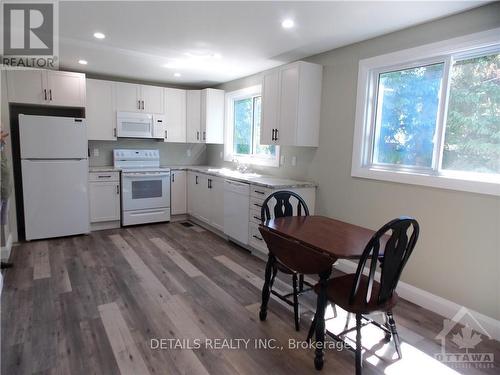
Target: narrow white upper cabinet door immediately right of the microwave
point(175, 115)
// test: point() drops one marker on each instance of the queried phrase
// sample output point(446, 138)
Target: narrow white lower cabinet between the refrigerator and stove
point(104, 197)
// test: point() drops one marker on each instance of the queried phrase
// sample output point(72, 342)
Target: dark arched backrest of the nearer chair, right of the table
point(400, 236)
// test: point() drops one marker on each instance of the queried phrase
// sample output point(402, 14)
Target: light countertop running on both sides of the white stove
point(251, 178)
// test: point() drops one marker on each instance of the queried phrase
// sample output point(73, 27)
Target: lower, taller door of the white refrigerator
point(55, 196)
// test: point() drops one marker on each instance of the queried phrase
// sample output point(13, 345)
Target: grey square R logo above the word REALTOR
point(28, 29)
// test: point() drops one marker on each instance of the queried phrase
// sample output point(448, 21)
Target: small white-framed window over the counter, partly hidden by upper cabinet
point(243, 131)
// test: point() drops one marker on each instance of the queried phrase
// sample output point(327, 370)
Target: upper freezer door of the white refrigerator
point(51, 137)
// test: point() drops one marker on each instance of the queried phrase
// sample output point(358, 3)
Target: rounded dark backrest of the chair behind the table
point(282, 205)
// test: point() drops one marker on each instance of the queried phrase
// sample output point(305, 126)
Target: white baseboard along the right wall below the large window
point(439, 305)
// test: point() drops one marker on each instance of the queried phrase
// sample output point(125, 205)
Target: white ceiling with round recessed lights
point(215, 42)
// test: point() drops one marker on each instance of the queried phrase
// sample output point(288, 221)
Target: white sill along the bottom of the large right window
point(447, 180)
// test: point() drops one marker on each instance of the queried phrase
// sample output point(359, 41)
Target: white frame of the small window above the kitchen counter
point(229, 155)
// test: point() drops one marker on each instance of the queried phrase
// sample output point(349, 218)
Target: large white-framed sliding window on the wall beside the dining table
point(432, 121)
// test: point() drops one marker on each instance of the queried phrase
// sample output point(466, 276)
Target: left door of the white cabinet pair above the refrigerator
point(26, 86)
